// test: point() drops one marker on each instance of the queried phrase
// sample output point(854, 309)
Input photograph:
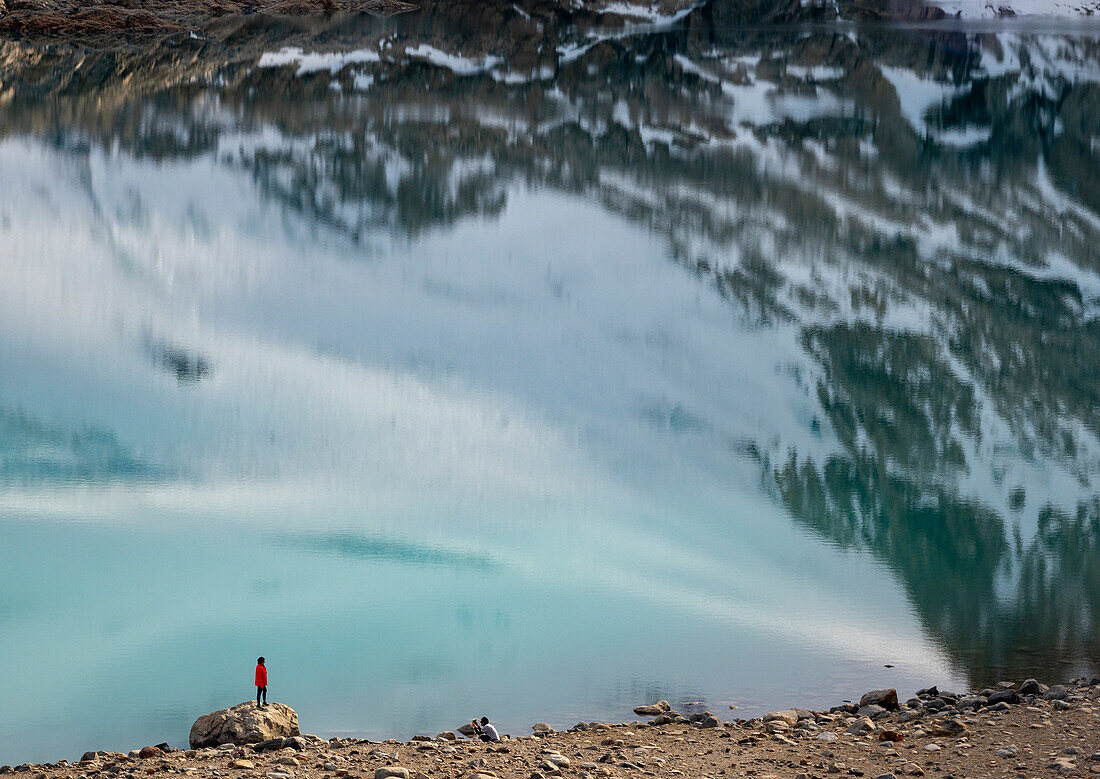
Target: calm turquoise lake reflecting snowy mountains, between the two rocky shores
point(541, 371)
